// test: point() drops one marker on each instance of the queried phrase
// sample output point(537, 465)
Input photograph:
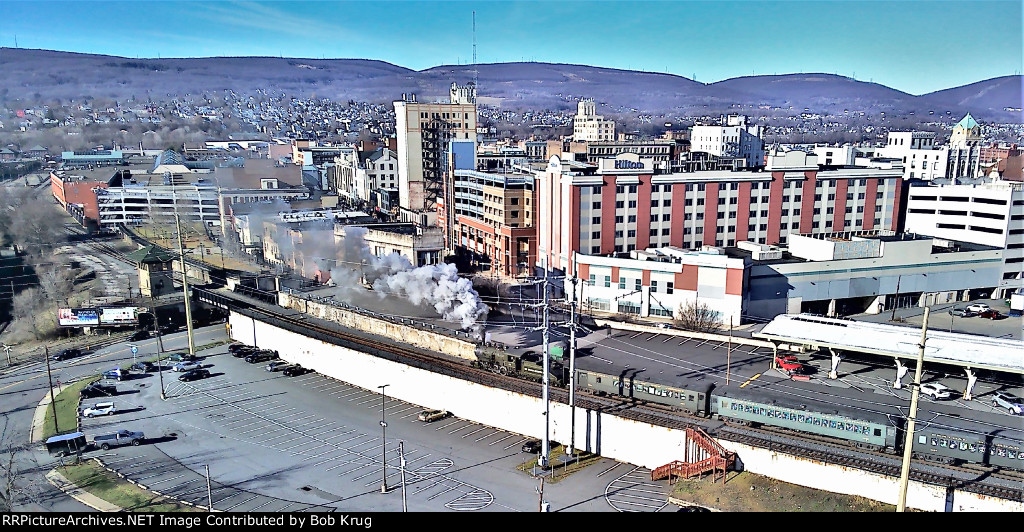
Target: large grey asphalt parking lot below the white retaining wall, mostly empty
point(310, 442)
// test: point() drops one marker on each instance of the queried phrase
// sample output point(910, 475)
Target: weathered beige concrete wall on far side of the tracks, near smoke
point(413, 336)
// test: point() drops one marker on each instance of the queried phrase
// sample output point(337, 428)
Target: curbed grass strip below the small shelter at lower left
point(94, 478)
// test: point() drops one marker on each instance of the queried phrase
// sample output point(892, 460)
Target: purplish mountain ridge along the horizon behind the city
point(26, 73)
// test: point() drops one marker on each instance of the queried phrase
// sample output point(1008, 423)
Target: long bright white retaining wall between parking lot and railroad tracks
point(626, 440)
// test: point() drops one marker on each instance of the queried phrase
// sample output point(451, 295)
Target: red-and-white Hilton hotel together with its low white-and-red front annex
point(648, 240)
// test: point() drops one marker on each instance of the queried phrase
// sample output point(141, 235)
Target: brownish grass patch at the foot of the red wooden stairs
point(749, 493)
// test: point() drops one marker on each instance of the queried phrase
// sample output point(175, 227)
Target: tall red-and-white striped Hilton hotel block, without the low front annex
point(626, 203)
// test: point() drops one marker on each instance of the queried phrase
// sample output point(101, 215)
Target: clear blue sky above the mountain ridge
point(916, 47)
